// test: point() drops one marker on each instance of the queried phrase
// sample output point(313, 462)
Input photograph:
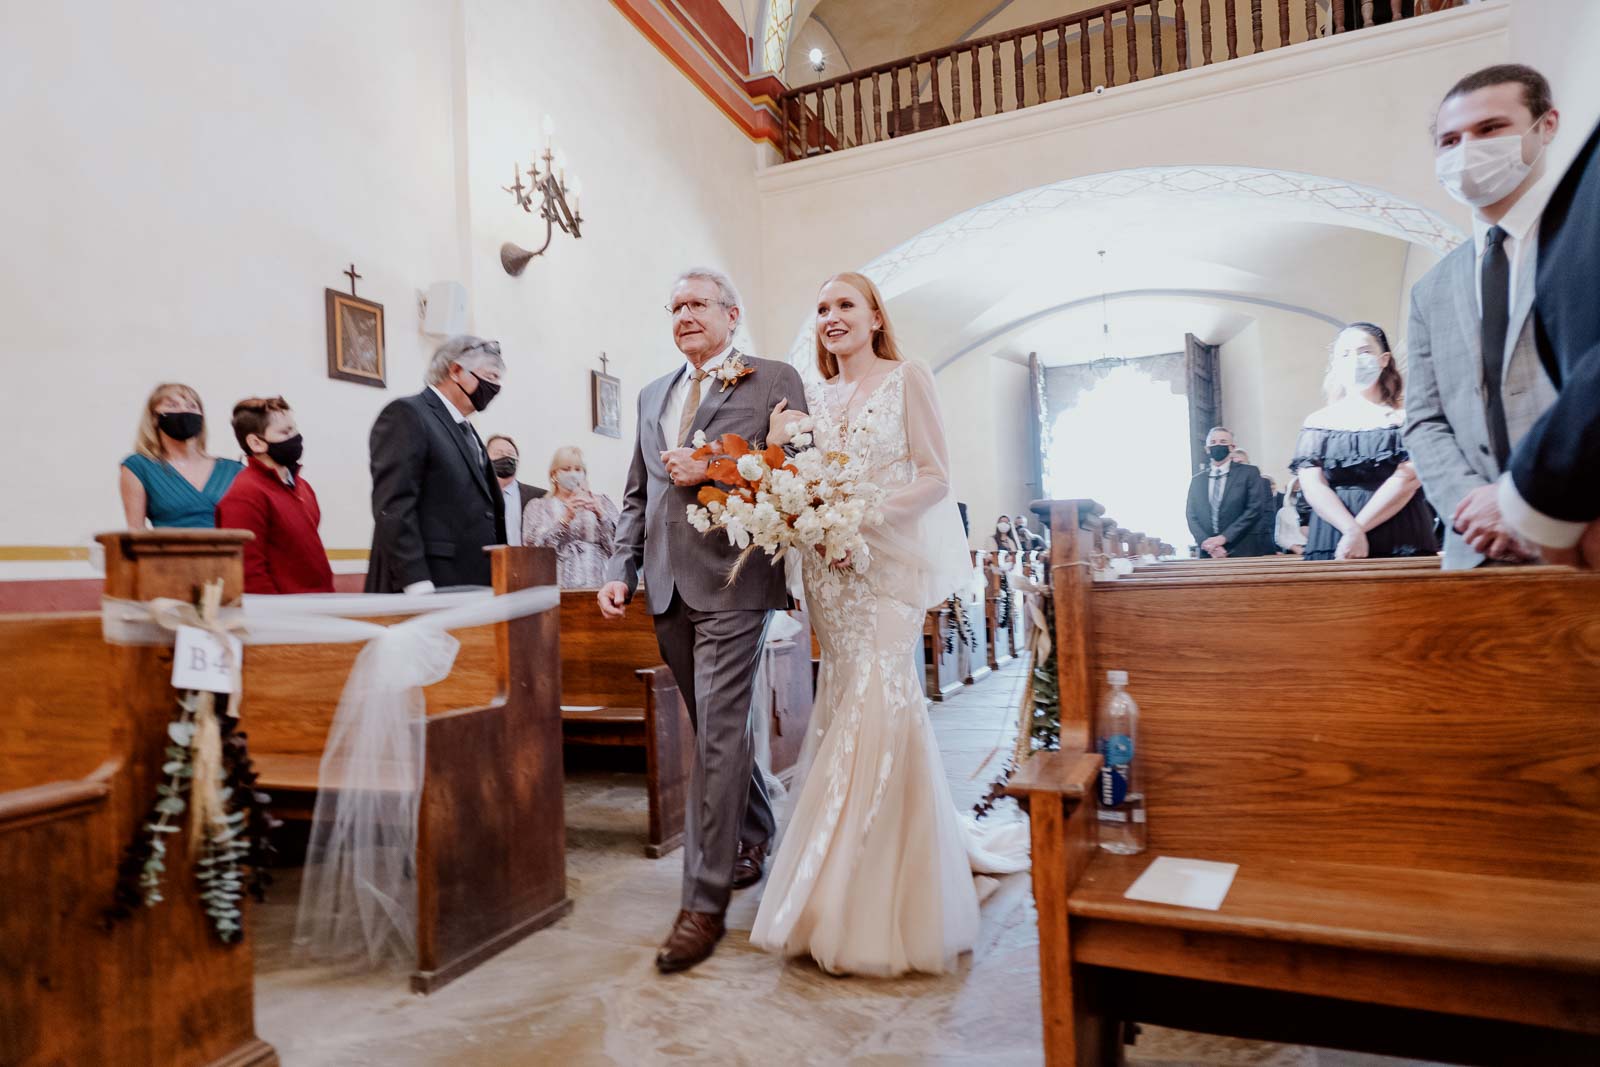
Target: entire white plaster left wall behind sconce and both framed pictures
point(183, 183)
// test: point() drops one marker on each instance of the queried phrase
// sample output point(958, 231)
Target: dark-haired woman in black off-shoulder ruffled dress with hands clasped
point(1354, 470)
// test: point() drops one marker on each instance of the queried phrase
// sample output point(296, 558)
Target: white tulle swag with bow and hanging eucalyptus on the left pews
point(359, 897)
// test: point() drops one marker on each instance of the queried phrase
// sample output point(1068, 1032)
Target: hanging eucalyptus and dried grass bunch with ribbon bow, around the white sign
point(207, 773)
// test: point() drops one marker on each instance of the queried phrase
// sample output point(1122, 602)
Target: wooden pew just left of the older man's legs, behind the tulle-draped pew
point(617, 692)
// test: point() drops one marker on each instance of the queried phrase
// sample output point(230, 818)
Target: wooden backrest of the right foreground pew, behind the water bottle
point(1401, 719)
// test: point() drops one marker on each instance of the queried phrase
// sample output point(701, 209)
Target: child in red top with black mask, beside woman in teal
point(271, 500)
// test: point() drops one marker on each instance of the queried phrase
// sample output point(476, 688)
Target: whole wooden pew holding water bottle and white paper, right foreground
point(1406, 765)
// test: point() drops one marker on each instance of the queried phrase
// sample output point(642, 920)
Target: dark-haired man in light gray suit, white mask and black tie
point(1478, 385)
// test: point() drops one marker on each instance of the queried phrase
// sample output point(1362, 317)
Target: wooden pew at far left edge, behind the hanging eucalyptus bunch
point(82, 737)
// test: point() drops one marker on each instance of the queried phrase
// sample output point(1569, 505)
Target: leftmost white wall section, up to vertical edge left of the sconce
point(182, 186)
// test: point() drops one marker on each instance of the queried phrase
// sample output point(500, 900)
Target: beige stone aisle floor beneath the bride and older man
point(585, 993)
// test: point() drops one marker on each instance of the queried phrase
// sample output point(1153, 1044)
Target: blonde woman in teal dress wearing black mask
point(170, 479)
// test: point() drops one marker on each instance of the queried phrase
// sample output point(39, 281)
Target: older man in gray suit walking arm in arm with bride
point(710, 629)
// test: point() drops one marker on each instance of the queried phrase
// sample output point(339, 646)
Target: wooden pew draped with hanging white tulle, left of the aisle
point(492, 844)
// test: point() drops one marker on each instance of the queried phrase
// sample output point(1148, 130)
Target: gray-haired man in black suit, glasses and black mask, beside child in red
point(436, 505)
